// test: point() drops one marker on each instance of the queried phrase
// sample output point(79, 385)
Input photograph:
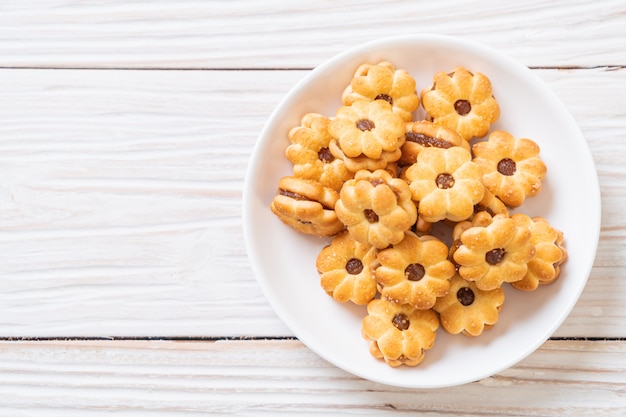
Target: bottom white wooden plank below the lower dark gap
point(562, 378)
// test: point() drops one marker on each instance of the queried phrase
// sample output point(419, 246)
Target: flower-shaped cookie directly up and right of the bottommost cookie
point(467, 309)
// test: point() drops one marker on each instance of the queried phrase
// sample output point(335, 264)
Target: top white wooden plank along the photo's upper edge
point(277, 34)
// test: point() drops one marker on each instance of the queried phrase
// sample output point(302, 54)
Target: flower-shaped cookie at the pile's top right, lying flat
point(463, 101)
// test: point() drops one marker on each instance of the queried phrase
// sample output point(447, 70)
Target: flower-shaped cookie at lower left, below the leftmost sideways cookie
point(346, 269)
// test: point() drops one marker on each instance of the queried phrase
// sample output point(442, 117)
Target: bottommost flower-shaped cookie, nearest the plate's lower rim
point(399, 333)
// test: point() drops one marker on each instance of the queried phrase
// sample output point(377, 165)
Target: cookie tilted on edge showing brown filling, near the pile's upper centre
point(425, 134)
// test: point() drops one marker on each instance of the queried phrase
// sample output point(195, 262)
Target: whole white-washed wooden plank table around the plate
point(125, 132)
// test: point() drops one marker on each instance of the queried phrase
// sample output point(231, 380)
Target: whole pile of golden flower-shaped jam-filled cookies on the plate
point(377, 181)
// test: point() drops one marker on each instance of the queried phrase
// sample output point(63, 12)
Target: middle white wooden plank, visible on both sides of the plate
point(121, 195)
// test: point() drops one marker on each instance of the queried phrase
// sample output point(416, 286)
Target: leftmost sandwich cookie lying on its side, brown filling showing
point(307, 206)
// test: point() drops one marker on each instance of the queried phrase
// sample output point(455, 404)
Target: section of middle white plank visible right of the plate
point(592, 315)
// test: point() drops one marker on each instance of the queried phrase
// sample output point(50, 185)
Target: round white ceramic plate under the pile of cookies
point(284, 261)
